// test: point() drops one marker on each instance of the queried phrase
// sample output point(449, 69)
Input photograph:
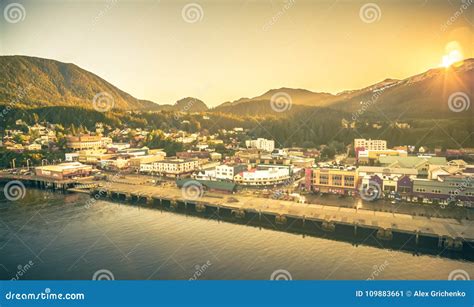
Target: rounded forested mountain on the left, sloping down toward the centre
point(35, 82)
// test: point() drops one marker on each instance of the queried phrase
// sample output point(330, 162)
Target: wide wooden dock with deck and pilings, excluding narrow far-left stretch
point(450, 233)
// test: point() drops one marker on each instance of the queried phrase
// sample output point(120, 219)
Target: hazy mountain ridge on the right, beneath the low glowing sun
point(429, 91)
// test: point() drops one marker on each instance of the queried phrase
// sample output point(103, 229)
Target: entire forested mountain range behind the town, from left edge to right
point(37, 82)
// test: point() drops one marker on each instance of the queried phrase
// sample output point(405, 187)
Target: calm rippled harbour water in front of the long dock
point(54, 236)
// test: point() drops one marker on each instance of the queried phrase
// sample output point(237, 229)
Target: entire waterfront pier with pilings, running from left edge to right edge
point(443, 233)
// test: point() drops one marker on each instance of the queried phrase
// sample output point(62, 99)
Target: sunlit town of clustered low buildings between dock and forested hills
point(231, 162)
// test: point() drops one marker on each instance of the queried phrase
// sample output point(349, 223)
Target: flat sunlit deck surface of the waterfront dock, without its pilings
point(403, 223)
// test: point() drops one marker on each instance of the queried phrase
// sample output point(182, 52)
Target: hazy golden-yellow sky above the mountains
point(161, 51)
